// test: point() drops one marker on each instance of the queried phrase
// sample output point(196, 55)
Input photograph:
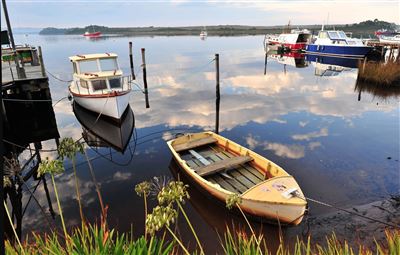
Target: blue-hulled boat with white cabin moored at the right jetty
point(336, 43)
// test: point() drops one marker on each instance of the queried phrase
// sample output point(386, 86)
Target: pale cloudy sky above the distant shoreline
point(131, 13)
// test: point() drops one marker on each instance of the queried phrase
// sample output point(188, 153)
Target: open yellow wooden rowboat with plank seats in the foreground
point(223, 167)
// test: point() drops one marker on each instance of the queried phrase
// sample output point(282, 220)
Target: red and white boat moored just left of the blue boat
point(295, 40)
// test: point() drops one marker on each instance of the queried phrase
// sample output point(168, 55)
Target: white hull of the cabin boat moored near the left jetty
point(112, 106)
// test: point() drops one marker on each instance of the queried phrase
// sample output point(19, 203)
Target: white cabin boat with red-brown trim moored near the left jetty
point(98, 84)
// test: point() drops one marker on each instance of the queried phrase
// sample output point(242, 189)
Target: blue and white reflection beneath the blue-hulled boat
point(331, 66)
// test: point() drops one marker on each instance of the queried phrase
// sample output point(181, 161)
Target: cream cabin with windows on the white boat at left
point(97, 74)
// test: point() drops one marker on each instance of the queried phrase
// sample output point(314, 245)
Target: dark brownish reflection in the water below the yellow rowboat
point(218, 217)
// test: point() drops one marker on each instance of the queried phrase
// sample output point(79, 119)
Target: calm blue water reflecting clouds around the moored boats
point(341, 150)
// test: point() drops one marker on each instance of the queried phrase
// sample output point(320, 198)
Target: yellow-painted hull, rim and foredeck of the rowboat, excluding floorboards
point(263, 199)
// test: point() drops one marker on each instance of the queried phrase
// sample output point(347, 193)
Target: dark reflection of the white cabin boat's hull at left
point(104, 132)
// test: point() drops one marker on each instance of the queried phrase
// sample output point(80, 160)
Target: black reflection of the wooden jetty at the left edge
point(28, 119)
